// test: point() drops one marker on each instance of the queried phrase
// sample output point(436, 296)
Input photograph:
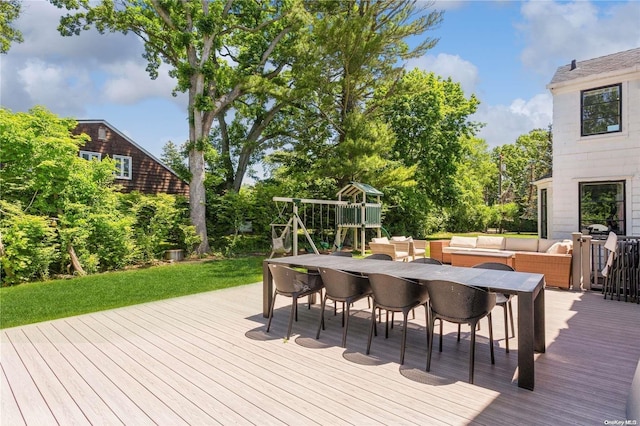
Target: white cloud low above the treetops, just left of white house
point(504, 124)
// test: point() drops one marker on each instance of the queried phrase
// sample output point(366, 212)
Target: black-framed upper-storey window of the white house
point(601, 110)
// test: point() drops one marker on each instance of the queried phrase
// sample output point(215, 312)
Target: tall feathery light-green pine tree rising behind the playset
point(357, 46)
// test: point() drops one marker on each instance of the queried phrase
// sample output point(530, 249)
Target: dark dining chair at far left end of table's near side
point(295, 284)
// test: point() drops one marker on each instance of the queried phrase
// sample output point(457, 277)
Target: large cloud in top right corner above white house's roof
point(557, 32)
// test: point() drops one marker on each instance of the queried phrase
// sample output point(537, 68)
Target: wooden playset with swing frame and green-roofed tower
point(352, 212)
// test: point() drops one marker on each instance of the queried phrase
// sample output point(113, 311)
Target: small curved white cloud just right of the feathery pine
point(445, 65)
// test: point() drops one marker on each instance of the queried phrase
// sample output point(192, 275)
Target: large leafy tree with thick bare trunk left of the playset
point(219, 51)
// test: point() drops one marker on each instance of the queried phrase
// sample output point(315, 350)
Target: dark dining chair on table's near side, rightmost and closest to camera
point(460, 304)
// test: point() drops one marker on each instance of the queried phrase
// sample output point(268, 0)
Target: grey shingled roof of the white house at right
point(628, 59)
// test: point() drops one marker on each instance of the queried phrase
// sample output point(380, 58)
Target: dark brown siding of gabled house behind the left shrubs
point(148, 175)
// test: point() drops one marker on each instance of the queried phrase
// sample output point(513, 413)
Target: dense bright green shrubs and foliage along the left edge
point(57, 206)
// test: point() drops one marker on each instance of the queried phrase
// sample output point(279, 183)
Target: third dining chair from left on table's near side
point(396, 294)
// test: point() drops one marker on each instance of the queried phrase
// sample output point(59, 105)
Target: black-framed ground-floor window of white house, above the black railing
point(602, 207)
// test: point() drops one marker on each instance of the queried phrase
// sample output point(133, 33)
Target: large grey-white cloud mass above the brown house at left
point(68, 75)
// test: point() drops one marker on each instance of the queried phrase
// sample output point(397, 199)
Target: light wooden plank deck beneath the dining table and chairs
point(205, 359)
